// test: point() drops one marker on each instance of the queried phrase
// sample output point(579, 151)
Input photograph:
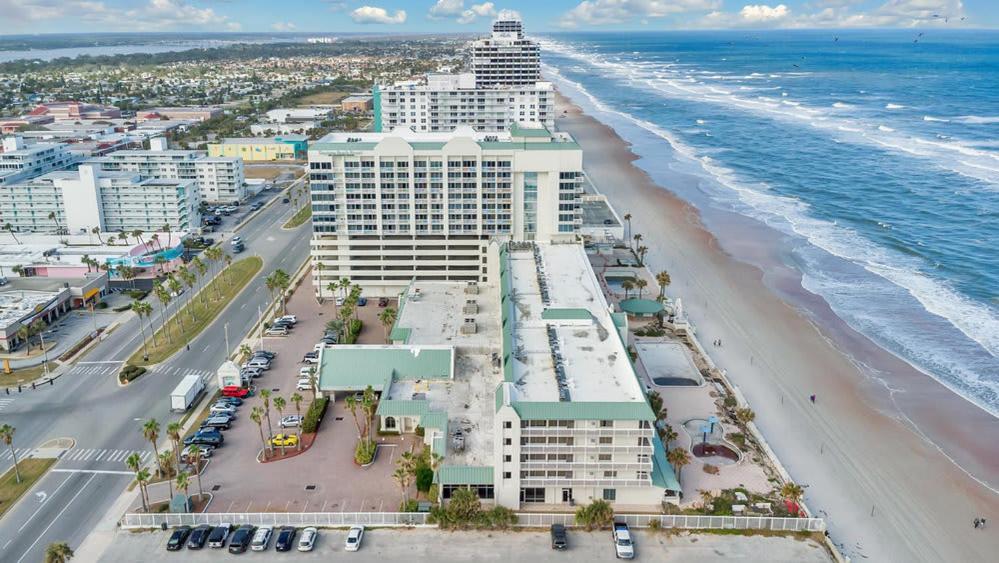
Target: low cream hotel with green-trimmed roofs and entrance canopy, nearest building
point(523, 384)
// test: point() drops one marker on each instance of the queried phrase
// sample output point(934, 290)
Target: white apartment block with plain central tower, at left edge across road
point(75, 202)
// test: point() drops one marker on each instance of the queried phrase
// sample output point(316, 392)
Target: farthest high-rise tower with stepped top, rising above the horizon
point(506, 57)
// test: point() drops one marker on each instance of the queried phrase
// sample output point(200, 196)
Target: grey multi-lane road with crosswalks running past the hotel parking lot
point(88, 405)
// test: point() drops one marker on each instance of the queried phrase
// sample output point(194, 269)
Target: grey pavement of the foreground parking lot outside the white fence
point(433, 545)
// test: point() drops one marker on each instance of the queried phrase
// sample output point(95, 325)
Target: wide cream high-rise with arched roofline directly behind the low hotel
point(391, 207)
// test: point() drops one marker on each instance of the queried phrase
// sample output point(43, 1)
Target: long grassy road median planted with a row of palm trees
point(172, 337)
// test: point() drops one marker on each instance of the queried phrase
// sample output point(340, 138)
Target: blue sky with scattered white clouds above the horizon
point(41, 16)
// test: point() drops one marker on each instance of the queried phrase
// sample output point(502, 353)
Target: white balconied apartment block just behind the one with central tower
point(218, 179)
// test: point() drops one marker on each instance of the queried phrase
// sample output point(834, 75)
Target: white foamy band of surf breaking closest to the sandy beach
point(976, 321)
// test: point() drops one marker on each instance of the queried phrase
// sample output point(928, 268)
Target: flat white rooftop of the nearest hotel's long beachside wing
point(577, 331)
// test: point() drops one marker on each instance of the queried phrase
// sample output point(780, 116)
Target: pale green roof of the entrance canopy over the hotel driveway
point(352, 368)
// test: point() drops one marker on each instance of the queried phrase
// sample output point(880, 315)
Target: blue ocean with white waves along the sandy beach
point(874, 154)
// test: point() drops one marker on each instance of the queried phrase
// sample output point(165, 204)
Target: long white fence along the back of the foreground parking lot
point(530, 520)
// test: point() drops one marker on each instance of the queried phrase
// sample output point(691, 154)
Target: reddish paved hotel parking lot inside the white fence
point(324, 478)
